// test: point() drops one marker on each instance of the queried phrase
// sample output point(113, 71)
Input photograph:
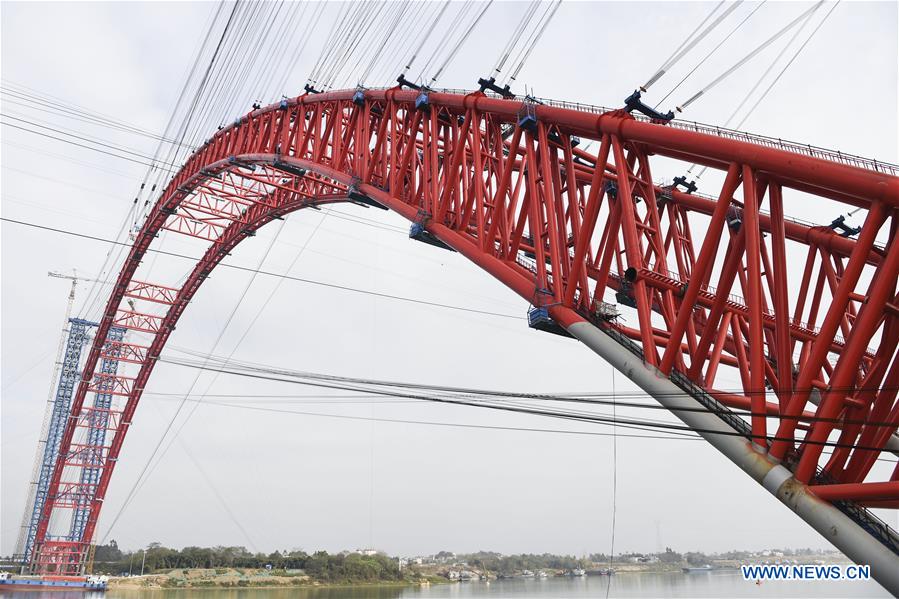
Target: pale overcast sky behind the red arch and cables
point(315, 482)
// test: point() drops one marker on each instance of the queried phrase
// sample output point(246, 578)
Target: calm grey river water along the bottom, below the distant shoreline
point(705, 584)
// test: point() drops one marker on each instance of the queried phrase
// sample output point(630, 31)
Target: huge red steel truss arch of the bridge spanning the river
point(807, 319)
